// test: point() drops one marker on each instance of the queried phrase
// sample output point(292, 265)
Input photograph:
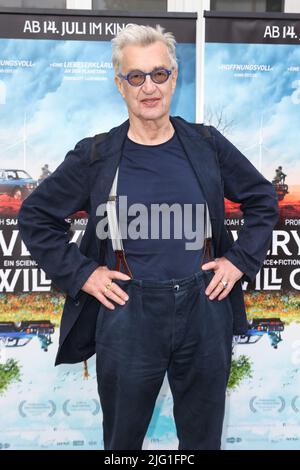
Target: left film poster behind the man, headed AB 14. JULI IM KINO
point(57, 87)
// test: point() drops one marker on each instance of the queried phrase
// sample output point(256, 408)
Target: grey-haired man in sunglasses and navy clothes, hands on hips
point(168, 314)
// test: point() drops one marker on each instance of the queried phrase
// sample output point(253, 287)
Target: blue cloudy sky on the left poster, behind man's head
point(65, 104)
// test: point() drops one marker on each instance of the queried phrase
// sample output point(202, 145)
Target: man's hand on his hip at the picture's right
point(224, 271)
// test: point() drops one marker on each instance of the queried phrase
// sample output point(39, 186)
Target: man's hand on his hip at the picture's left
point(96, 284)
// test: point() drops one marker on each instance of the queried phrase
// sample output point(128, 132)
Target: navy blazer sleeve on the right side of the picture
point(244, 184)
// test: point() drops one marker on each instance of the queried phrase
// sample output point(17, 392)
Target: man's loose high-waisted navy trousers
point(165, 327)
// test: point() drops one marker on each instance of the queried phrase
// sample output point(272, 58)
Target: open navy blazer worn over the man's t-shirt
point(82, 183)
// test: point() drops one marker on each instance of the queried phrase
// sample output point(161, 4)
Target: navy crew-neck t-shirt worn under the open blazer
point(152, 175)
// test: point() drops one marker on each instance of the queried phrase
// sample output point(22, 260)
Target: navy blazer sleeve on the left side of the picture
point(43, 227)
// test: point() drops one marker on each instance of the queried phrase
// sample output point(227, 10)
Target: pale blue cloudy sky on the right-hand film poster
point(266, 99)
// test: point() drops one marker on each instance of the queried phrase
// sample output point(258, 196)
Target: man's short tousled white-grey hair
point(141, 35)
